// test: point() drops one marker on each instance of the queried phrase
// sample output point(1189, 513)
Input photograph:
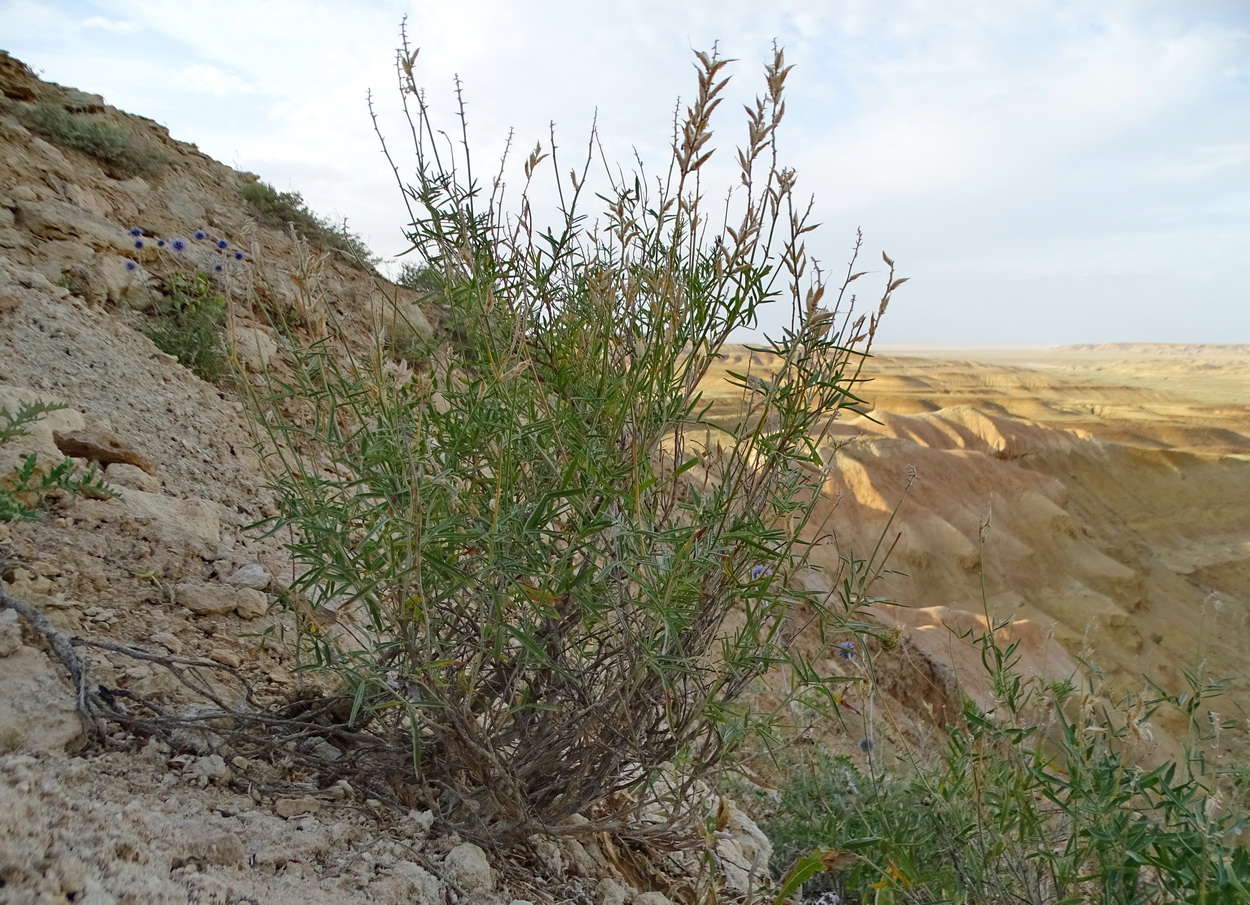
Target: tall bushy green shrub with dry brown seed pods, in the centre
point(551, 573)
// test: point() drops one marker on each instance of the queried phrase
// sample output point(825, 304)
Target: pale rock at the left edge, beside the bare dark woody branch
point(37, 708)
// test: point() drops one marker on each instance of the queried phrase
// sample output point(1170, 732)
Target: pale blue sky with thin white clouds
point(1046, 172)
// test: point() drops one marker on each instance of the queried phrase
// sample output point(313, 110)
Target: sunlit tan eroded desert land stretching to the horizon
point(1102, 493)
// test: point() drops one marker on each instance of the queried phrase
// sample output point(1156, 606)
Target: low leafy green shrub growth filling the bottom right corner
point(1043, 801)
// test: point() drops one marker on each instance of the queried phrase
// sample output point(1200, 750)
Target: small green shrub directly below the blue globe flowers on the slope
point(188, 324)
